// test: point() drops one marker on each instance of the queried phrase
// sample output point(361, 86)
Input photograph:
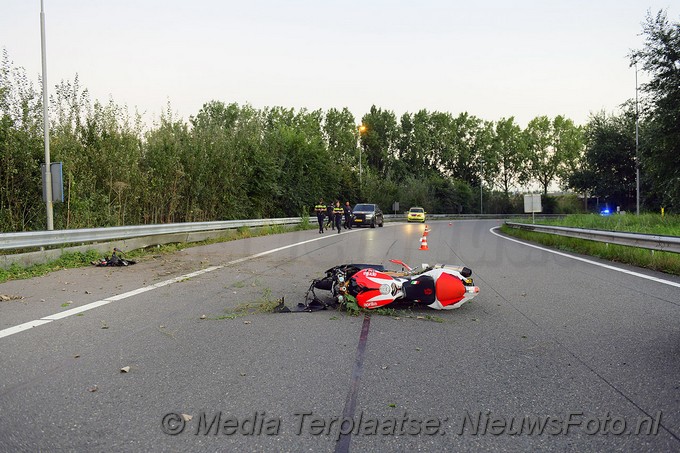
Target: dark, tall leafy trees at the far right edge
point(613, 153)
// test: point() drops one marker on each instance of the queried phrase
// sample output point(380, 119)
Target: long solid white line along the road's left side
point(100, 303)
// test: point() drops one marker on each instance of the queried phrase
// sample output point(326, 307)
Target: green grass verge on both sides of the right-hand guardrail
point(648, 223)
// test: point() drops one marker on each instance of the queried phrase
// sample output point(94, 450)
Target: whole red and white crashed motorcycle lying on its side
point(439, 286)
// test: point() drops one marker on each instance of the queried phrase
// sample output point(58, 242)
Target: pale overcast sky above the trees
point(492, 59)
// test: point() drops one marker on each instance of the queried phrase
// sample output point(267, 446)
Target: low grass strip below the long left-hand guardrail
point(71, 260)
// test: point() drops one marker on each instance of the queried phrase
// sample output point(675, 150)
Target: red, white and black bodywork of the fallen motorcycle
point(440, 287)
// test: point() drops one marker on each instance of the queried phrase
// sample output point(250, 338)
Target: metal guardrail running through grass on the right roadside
point(647, 241)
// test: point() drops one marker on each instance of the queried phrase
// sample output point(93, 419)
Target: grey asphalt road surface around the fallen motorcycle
point(554, 354)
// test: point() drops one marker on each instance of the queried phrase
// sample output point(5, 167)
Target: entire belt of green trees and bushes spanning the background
point(231, 161)
